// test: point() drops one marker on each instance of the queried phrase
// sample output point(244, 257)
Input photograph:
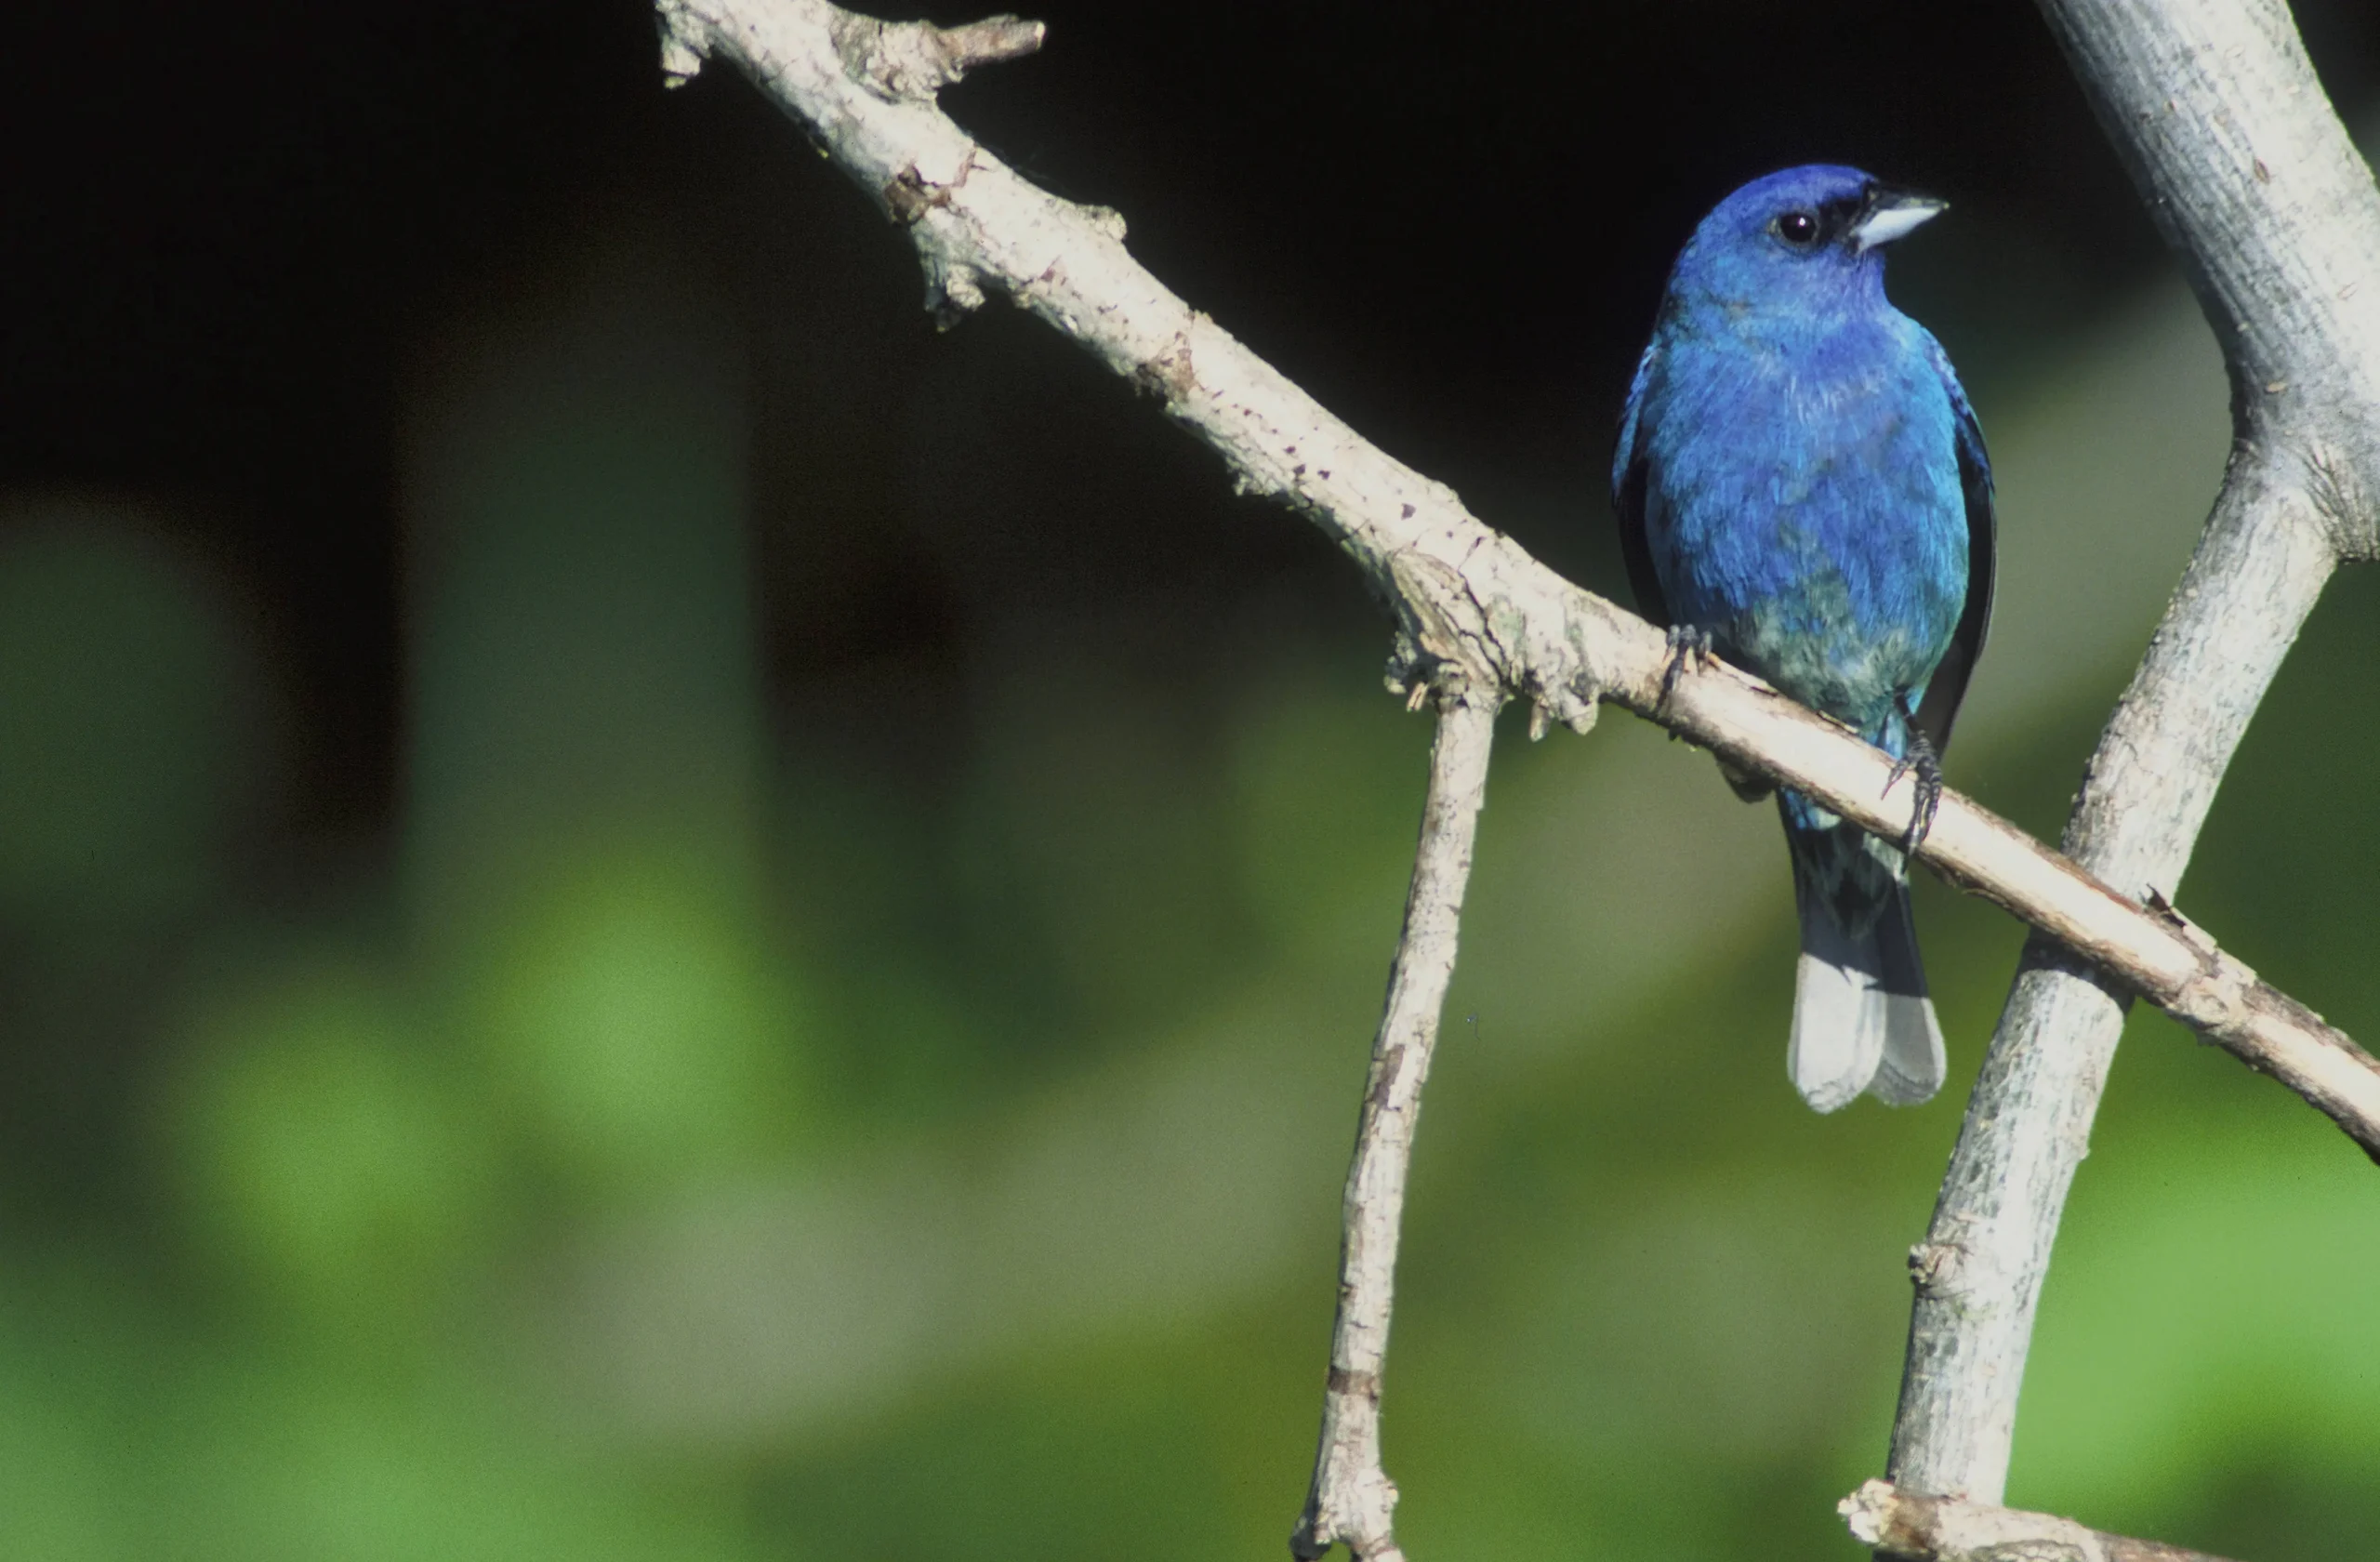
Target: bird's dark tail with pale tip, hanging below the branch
point(1860, 1013)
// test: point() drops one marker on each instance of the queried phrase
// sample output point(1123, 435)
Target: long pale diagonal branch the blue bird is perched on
point(1467, 599)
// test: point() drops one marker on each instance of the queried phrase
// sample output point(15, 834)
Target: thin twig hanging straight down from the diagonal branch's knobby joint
point(1353, 1497)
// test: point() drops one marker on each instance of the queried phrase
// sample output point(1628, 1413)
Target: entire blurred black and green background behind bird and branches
point(649, 911)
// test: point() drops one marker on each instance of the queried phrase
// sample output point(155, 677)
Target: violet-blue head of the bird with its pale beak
point(1803, 239)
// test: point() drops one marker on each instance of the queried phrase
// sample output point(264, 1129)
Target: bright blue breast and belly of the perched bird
point(1803, 501)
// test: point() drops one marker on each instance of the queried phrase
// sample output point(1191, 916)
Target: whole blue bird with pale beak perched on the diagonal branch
point(1803, 492)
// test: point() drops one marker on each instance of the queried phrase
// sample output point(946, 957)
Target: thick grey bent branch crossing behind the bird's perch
point(2257, 187)
